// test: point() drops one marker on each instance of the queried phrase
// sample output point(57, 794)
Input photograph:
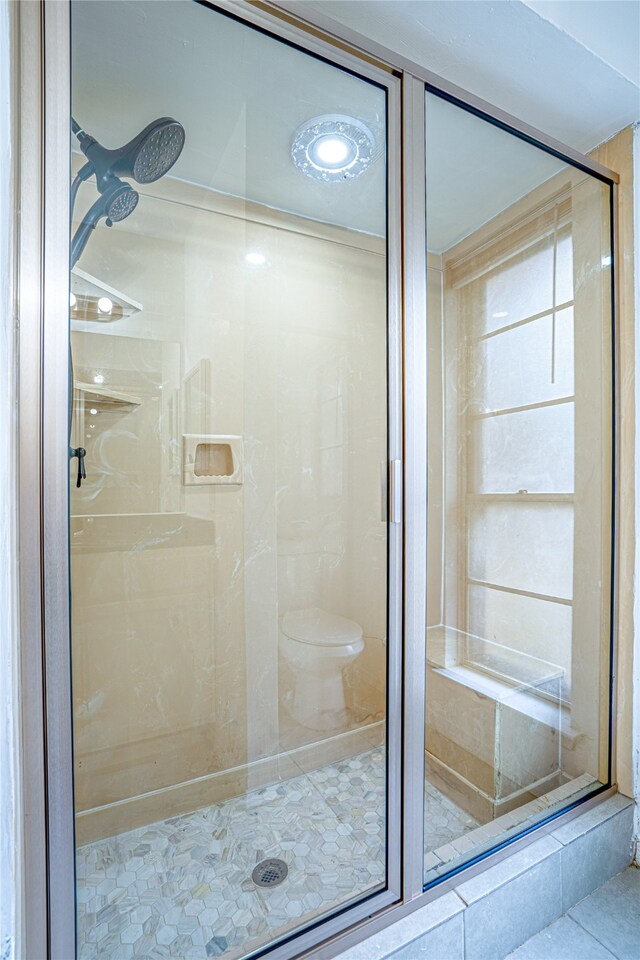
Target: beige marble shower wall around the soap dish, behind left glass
point(178, 591)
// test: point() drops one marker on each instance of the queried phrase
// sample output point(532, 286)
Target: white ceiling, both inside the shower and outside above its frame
point(241, 96)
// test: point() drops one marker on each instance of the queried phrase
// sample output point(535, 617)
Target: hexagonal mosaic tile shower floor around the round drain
point(182, 887)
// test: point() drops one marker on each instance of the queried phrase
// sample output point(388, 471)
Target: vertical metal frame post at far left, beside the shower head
point(42, 245)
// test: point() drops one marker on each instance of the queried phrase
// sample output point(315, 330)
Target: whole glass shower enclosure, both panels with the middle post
point(341, 482)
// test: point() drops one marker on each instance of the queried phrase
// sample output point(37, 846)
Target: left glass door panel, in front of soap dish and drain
point(228, 553)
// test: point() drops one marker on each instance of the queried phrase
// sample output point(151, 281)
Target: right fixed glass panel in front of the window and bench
point(519, 458)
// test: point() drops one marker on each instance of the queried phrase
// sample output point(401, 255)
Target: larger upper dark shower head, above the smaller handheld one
point(144, 159)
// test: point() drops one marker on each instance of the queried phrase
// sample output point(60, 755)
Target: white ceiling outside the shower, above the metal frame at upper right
point(509, 54)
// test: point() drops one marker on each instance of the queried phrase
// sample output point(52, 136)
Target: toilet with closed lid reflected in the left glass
point(318, 646)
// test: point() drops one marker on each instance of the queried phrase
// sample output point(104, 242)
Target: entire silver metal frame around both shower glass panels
point(43, 289)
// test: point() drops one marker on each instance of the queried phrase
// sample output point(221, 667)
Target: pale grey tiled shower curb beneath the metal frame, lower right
point(493, 913)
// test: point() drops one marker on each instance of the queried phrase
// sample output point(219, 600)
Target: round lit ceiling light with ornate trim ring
point(333, 148)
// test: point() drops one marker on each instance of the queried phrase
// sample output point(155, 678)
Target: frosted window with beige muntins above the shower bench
point(517, 408)
